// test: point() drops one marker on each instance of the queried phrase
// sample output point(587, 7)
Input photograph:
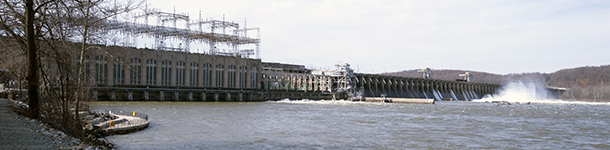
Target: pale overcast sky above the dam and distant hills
point(496, 36)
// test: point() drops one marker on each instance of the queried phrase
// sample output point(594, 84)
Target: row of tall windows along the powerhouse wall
point(101, 69)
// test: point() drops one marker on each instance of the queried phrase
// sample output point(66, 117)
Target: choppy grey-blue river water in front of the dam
point(303, 124)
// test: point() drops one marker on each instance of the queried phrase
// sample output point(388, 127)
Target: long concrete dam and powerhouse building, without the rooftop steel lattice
point(136, 75)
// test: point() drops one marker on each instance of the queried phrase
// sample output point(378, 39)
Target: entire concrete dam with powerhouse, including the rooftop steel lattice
point(170, 71)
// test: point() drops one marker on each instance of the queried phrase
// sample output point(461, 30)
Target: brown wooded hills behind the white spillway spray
point(585, 83)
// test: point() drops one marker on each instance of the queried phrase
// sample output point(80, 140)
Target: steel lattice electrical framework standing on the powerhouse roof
point(161, 32)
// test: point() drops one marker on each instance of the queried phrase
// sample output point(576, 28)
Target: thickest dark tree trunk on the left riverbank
point(33, 62)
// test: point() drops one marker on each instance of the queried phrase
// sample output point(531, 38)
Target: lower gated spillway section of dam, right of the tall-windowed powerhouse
point(344, 84)
